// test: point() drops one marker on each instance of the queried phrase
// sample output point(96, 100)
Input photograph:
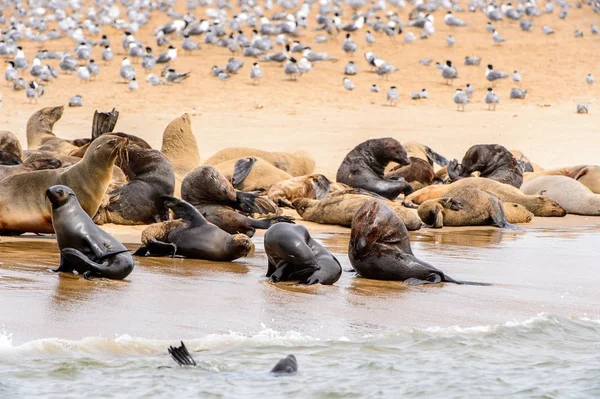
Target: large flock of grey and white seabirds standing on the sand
point(270, 32)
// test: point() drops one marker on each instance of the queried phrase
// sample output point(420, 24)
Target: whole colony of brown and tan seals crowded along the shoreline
point(57, 186)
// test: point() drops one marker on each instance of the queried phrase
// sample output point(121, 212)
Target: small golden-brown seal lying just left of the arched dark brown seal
point(310, 186)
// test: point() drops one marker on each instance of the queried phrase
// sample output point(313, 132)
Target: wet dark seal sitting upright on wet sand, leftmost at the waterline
point(84, 247)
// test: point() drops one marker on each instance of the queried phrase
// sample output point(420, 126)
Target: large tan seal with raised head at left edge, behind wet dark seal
point(23, 206)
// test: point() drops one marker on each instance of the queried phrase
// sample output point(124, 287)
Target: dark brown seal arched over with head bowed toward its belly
point(364, 167)
